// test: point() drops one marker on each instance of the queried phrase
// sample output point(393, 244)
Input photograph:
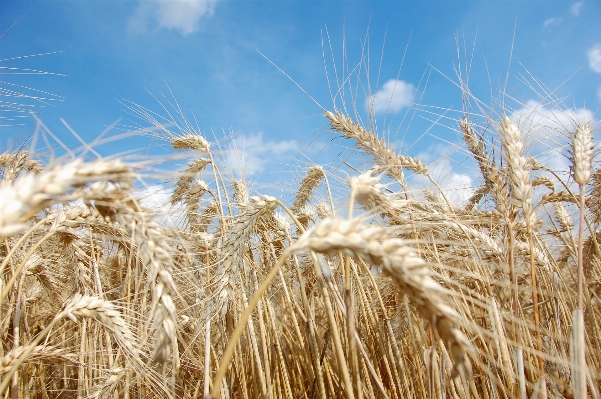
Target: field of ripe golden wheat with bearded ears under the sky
point(382, 289)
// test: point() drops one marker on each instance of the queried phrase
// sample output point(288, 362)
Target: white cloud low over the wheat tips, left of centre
point(251, 153)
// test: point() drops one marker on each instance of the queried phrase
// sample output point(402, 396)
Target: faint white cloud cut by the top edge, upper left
point(179, 15)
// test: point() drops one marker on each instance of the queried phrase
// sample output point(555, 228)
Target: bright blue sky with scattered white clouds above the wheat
point(213, 57)
